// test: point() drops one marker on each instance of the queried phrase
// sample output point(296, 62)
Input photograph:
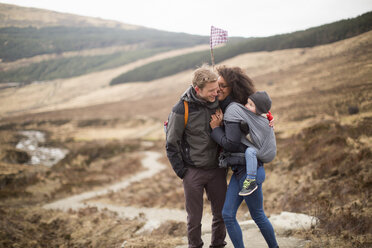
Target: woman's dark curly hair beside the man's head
point(241, 85)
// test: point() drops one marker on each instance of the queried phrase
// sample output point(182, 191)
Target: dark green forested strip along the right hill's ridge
point(311, 37)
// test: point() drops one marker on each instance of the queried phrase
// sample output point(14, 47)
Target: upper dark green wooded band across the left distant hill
point(17, 43)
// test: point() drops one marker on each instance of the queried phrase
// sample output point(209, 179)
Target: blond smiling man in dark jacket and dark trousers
point(194, 156)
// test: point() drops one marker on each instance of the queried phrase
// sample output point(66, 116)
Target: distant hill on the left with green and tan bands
point(27, 33)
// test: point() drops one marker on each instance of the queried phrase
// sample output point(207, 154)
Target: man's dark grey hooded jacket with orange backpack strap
point(191, 146)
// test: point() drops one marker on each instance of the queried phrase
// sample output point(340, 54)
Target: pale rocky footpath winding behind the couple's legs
point(155, 216)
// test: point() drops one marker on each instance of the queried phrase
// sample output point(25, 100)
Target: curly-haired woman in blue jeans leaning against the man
point(236, 86)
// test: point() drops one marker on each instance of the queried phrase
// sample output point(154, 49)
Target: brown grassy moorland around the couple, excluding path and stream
point(322, 105)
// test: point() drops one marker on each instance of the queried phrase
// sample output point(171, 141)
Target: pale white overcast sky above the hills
point(245, 18)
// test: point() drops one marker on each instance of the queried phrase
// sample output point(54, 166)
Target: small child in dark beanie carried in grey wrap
point(258, 103)
